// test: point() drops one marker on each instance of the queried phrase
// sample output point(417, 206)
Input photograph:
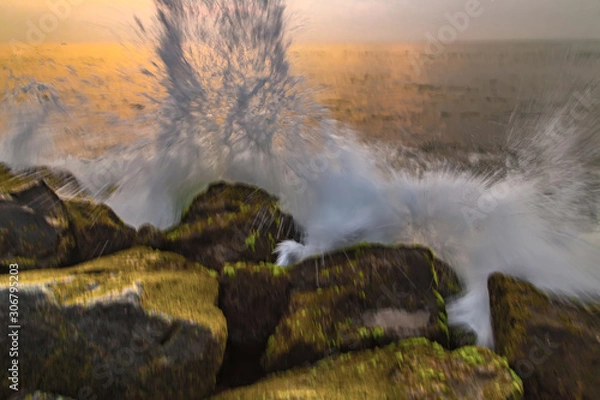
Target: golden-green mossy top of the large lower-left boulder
point(170, 285)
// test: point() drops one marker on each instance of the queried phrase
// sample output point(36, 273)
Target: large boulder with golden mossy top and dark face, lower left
point(140, 324)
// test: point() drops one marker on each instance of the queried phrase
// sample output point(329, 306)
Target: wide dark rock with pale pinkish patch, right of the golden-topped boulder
point(354, 299)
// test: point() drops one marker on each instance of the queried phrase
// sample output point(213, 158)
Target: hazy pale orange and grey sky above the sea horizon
point(323, 20)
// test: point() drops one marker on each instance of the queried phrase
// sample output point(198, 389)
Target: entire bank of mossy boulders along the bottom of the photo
point(200, 311)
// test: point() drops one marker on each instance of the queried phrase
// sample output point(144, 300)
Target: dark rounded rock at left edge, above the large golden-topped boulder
point(34, 227)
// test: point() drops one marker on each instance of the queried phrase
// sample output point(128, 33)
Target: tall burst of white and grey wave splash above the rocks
point(234, 111)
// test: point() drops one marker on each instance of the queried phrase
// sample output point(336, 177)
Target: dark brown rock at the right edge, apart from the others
point(554, 346)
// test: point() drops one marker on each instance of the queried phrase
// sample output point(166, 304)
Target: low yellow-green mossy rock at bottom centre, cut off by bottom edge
point(409, 369)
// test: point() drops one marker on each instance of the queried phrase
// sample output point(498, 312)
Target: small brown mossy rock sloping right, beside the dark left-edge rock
point(97, 230)
